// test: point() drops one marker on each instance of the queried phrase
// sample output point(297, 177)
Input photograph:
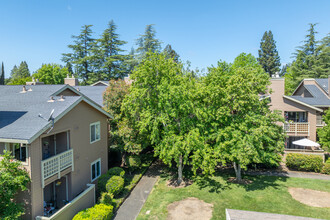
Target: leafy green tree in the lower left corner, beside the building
point(13, 179)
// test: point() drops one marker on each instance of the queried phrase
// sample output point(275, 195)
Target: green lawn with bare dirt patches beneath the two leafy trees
point(265, 194)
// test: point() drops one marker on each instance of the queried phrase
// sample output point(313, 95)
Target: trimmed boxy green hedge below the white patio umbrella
point(304, 162)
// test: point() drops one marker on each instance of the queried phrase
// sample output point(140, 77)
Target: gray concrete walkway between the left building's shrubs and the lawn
point(132, 206)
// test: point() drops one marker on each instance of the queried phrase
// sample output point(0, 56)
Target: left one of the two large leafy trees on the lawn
point(160, 108)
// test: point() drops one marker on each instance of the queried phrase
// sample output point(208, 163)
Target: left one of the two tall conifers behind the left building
point(82, 55)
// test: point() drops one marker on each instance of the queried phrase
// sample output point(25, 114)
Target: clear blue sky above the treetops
point(202, 32)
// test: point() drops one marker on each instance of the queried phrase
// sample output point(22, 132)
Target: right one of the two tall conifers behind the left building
point(111, 53)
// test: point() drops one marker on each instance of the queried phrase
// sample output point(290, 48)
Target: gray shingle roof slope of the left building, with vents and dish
point(19, 111)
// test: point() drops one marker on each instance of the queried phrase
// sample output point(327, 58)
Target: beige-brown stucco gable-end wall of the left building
point(77, 121)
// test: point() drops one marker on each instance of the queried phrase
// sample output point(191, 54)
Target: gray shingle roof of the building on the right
point(318, 99)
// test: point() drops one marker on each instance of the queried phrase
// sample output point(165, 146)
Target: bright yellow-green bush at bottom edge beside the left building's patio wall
point(97, 212)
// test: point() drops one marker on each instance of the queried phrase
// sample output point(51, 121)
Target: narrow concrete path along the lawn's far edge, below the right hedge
point(290, 174)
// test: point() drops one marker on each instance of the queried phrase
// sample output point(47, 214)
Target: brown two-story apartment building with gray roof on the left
point(61, 137)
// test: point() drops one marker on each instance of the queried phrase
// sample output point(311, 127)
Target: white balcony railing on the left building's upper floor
point(54, 165)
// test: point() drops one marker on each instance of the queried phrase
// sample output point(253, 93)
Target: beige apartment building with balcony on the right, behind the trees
point(302, 110)
